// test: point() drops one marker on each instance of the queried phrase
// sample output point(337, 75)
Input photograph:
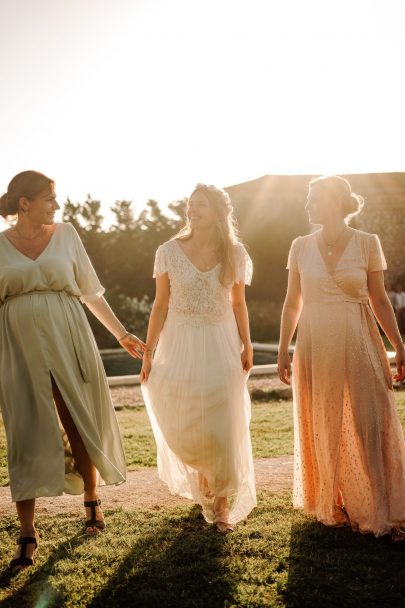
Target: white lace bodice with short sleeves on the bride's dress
point(198, 297)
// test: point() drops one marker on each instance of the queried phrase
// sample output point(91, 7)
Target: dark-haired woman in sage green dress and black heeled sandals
point(49, 358)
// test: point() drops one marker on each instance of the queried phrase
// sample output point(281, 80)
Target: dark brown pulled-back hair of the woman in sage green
point(27, 184)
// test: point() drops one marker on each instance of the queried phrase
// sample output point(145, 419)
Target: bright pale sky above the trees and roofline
point(141, 99)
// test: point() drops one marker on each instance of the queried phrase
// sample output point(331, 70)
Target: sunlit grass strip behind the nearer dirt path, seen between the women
point(271, 429)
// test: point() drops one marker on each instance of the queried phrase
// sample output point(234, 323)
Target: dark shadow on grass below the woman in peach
point(337, 567)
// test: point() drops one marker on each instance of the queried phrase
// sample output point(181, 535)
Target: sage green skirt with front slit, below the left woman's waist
point(47, 334)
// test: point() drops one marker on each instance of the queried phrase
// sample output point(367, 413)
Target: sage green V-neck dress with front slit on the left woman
point(44, 331)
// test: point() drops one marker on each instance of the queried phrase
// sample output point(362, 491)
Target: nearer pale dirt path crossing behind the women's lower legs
point(144, 489)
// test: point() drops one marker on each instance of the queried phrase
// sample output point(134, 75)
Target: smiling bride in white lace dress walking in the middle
point(195, 384)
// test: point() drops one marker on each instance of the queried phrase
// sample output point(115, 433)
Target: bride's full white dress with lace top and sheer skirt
point(196, 394)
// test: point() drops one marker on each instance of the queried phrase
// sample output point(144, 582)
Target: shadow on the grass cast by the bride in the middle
point(181, 565)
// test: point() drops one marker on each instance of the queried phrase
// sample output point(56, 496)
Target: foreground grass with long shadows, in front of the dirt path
point(171, 558)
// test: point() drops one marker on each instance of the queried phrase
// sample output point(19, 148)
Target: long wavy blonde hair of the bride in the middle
point(226, 229)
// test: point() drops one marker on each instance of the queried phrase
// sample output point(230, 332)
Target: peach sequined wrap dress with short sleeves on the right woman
point(348, 437)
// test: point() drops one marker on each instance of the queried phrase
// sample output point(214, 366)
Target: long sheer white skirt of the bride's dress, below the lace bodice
point(199, 408)
